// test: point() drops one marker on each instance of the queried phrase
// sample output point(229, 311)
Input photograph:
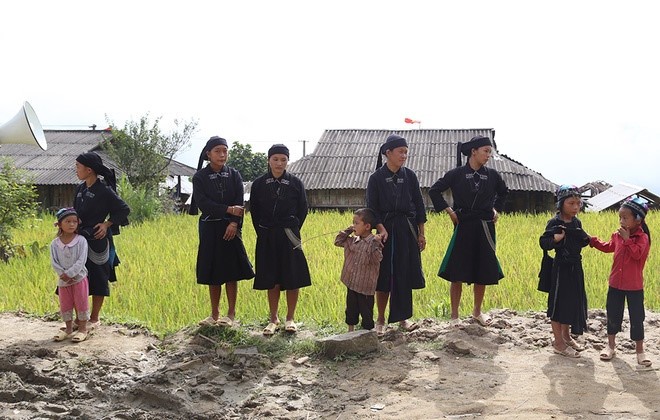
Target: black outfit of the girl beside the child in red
point(567, 299)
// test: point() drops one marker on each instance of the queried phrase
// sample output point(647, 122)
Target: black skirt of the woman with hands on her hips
point(470, 257)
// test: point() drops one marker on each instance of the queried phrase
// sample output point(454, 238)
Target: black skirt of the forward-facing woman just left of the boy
point(279, 262)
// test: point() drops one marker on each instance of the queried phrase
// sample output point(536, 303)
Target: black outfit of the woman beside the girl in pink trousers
point(94, 205)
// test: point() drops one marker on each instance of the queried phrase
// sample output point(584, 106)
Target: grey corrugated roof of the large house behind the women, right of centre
point(344, 159)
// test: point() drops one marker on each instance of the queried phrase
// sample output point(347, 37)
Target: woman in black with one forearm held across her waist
point(221, 256)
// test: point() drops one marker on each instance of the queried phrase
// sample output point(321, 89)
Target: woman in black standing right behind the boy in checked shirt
point(393, 194)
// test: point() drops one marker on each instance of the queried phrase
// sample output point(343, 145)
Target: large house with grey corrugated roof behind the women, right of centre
point(336, 173)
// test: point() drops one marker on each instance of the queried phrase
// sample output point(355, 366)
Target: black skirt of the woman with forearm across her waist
point(220, 261)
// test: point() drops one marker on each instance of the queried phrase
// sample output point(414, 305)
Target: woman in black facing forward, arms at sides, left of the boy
point(278, 204)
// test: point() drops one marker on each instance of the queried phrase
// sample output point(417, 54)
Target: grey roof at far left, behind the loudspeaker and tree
point(56, 166)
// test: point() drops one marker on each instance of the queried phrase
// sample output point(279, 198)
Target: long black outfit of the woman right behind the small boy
point(397, 202)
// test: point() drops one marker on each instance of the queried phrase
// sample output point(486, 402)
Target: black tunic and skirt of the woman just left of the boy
point(279, 209)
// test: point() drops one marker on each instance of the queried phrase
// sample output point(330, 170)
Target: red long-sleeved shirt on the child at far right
point(629, 259)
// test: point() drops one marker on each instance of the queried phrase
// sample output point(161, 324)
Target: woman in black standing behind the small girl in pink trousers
point(101, 212)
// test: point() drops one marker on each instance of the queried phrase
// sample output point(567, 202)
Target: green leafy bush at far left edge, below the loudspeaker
point(18, 202)
